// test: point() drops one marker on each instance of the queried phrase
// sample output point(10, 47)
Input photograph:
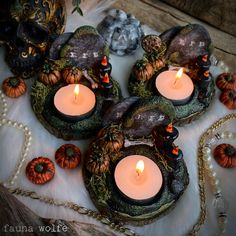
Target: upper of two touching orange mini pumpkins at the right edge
point(226, 81)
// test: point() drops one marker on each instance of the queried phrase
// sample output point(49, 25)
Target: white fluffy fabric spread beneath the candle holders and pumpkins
point(68, 185)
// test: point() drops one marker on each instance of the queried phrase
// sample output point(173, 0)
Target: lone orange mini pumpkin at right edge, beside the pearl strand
point(225, 155)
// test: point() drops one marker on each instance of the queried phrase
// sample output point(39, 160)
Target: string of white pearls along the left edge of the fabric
point(27, 141)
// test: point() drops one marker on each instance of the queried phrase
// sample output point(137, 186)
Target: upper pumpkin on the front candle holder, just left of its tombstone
point(111, 139)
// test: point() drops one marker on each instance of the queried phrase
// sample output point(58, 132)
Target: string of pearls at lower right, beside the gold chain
point(219, 203)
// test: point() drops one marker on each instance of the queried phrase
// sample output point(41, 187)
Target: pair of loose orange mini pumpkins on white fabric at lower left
point(41, 170)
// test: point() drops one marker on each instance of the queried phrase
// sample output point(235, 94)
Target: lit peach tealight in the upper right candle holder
point(175, 86)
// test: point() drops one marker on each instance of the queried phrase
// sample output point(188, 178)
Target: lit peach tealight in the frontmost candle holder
point(138, 178)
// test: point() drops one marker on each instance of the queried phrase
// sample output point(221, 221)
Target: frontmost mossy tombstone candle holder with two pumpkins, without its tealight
point(132, 132)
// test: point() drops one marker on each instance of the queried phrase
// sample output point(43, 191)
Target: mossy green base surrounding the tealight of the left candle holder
point(42, 104)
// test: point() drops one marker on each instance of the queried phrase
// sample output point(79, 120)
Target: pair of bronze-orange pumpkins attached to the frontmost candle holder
point(104, 149)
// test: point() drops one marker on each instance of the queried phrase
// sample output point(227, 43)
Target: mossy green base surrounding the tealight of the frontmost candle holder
point(115, 205)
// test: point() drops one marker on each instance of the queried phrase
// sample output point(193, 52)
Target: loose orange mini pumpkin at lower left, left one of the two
point(40, 170)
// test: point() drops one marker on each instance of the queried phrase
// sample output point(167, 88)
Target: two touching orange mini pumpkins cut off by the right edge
point(226, 82)
